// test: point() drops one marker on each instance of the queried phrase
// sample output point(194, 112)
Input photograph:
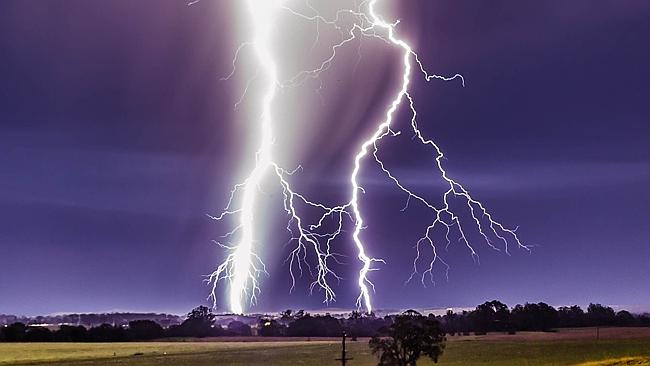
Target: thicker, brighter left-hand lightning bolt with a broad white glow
point(242, 265)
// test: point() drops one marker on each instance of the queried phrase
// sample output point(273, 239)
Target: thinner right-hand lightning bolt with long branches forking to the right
point(444, 215)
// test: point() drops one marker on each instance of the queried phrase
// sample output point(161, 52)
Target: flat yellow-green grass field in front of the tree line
point(616, 347)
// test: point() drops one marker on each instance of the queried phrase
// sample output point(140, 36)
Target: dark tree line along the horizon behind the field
point(491, 316)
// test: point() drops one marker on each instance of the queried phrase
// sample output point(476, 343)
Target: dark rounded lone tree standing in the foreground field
point(409, 337)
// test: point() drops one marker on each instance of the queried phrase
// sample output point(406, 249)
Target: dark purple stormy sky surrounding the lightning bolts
point(116, 138)
